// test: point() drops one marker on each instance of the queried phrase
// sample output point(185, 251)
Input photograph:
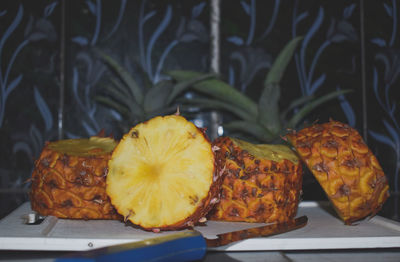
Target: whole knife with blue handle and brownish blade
point(182, 246)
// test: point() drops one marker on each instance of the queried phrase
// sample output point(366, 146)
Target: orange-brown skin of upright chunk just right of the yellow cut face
point(255, 189)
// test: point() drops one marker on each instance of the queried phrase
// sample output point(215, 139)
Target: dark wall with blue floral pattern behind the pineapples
point(53, 76)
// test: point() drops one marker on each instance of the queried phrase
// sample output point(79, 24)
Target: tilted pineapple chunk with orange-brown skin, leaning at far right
point(345, 167)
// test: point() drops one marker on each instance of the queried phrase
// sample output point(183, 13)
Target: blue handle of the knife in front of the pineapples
point(182, 246)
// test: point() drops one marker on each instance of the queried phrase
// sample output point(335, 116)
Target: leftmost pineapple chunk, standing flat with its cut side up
point(69, 179)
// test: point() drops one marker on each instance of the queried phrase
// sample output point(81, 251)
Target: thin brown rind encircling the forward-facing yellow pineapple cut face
point(204, 206)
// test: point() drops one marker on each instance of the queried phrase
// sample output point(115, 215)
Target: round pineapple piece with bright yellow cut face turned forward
point(161, 174)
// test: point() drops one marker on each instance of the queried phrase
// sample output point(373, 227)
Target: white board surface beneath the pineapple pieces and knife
point(324, 231)
